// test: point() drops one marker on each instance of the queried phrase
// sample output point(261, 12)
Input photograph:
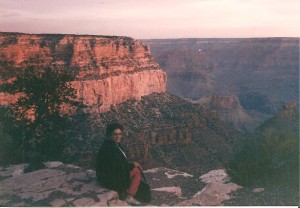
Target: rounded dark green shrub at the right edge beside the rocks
point(267, 158)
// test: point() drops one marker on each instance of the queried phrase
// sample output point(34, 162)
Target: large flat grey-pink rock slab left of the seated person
point(56, 185)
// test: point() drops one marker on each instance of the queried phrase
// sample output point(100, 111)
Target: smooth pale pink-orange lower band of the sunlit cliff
point(99, 95)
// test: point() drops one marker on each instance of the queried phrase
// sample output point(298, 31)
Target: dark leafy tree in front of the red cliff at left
point(37, 111)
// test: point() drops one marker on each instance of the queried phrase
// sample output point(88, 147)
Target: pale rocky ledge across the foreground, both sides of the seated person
point(61, 184)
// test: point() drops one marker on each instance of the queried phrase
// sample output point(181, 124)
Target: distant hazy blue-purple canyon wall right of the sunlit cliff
point(263, 73)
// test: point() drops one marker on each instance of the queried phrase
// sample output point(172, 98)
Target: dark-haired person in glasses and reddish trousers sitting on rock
point(113, 170)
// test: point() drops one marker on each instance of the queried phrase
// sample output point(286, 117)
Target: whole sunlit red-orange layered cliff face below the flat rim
point(110, 70)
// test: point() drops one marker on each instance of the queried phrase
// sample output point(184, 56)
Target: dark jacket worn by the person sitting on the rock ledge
point(112, 167)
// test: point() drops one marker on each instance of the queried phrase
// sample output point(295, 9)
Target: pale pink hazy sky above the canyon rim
point(154, 19)
